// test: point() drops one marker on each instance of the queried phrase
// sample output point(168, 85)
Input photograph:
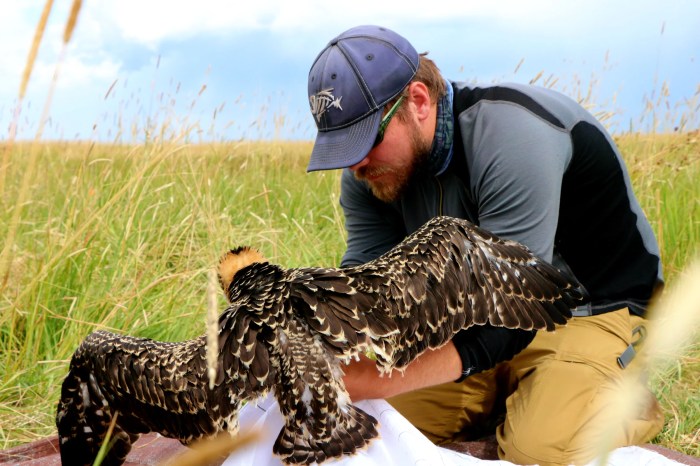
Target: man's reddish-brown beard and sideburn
point(402, 176)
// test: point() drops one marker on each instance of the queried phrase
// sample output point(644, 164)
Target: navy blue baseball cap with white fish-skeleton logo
point(350, 82)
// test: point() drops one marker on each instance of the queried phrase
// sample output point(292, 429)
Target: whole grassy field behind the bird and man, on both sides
point(123, 237)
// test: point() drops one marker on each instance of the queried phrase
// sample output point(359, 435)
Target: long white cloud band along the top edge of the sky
point(152, 21)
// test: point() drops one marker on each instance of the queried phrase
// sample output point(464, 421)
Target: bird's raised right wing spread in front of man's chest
point(445, 277)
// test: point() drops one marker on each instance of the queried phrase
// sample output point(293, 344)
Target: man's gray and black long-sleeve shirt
point(531, 165)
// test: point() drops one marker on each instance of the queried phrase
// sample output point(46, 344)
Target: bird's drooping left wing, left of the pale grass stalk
point(147, 385)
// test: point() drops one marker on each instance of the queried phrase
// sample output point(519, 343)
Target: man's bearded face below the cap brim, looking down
point(390, 167)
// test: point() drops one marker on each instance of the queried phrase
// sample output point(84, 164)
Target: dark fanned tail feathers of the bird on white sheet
point(353, 433)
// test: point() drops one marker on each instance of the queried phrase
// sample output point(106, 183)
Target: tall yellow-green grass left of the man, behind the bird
point(123, 237)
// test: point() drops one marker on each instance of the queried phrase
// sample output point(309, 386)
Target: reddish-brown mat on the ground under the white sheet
point(154, 450)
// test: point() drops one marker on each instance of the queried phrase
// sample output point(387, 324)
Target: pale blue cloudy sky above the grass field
point(215, 70)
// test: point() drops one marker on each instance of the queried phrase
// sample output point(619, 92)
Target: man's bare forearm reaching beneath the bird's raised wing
point(363, 380)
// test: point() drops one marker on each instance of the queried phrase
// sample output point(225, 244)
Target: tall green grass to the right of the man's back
point(666, 174)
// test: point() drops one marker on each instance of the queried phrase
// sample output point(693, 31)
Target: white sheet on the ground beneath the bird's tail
point(400, 444)
